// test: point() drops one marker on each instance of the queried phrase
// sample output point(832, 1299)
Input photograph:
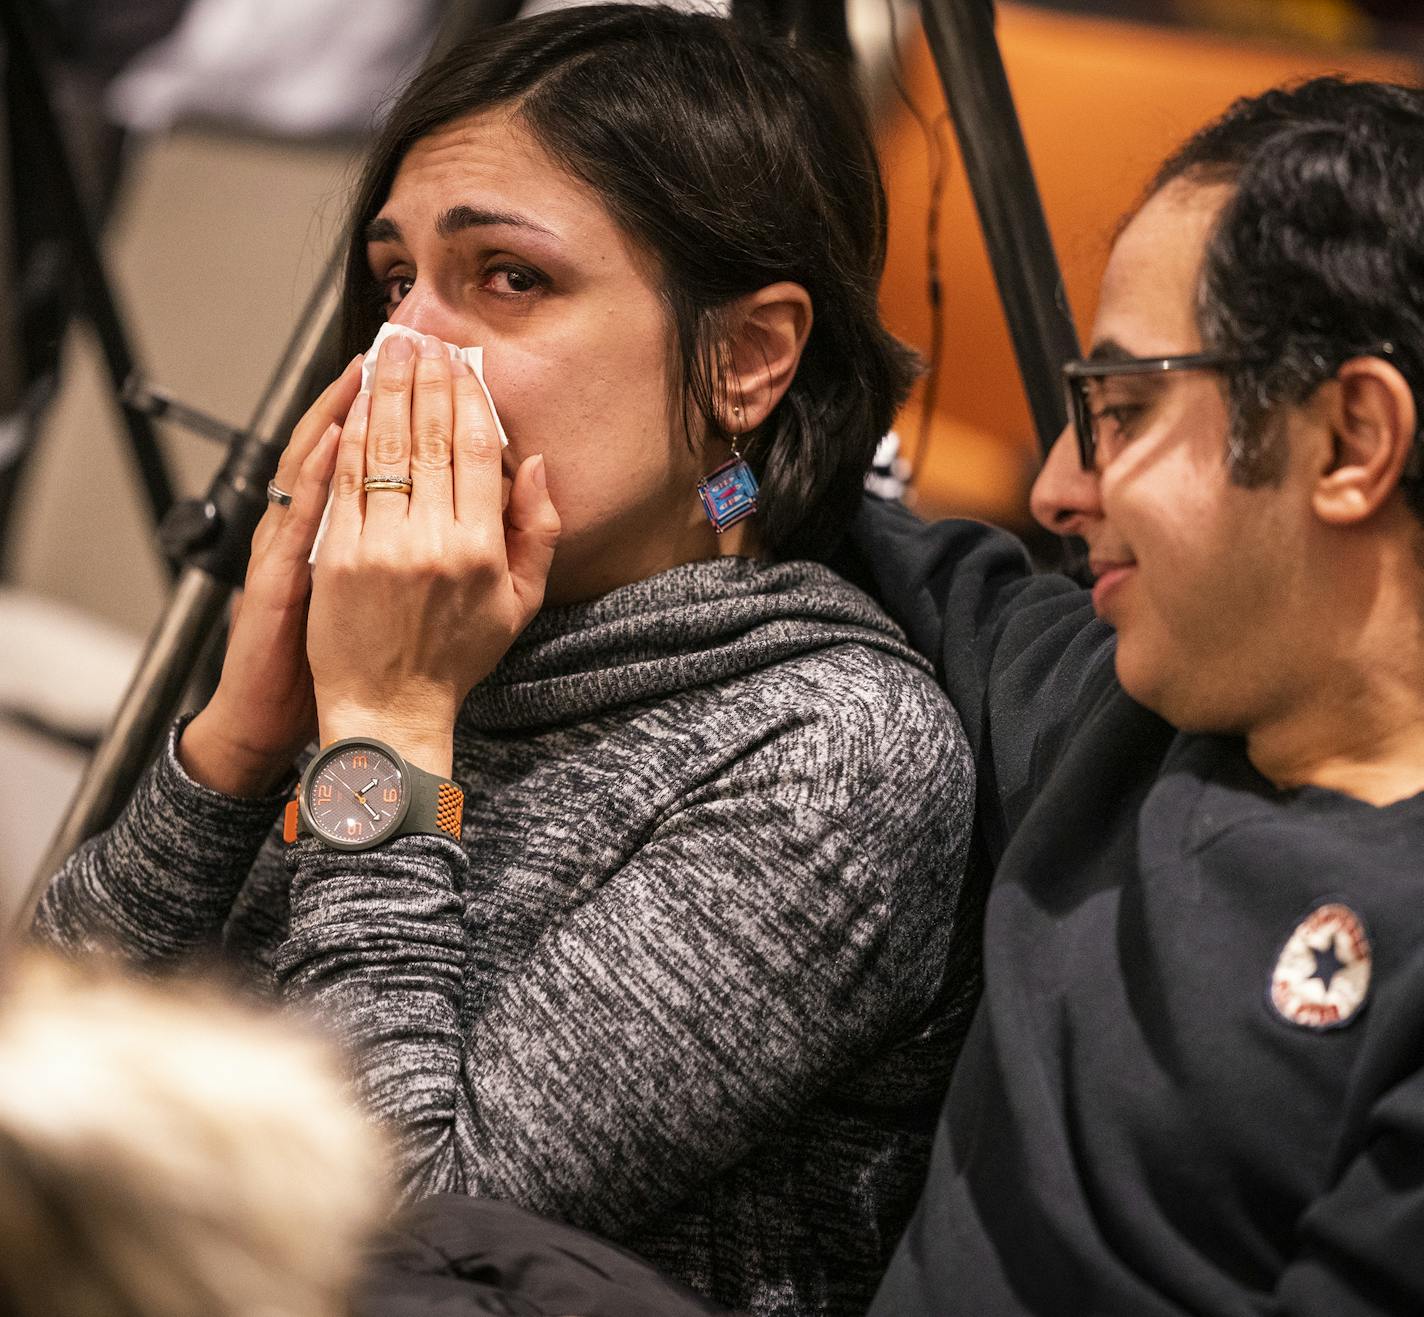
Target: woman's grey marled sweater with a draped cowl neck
point(689, 979)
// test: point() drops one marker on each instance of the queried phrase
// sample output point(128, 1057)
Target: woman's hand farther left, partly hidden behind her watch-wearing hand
point(264, 711)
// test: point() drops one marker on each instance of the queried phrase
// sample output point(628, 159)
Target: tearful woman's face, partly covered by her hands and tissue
point(486, 241)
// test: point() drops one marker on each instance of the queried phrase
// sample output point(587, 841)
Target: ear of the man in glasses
point(1373, 422)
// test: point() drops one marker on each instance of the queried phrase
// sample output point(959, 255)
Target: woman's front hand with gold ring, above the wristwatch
point(417, 597)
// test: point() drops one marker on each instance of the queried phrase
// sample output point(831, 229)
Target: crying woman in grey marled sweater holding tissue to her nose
point(686, 975)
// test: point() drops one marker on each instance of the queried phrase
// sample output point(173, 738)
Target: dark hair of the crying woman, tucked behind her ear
point(738, 162)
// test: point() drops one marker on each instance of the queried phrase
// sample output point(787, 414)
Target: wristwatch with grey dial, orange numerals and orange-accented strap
point(360, 792)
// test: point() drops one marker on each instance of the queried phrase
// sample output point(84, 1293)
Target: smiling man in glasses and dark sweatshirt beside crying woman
point(1197, 1079)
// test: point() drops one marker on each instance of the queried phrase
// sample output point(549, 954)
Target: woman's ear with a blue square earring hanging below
point(767, 332)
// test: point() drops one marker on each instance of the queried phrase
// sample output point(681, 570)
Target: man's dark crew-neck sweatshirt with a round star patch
point(1197, 1079)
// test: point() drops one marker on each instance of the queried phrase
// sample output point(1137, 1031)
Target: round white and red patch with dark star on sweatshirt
point(1324, 973)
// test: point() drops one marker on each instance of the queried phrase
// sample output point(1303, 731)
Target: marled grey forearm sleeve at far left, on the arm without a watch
point(160, 883)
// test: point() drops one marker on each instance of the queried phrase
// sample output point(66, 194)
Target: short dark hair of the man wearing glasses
point(1318, 256)
